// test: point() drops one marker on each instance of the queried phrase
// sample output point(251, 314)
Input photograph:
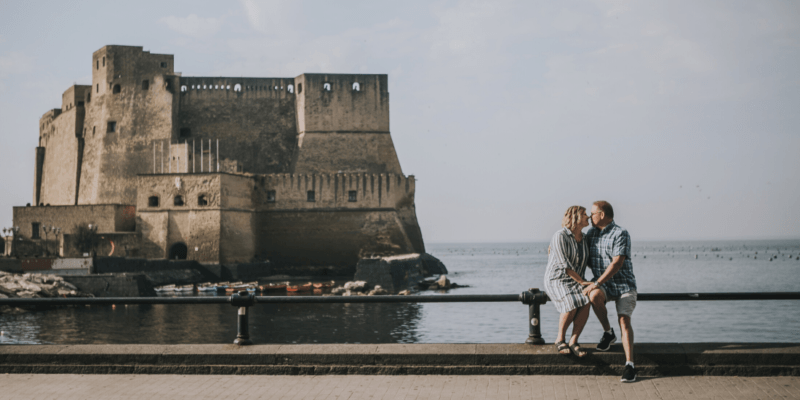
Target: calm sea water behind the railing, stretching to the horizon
point(495, 268)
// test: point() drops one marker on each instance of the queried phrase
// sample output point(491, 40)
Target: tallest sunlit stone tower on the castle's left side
point(130, 106)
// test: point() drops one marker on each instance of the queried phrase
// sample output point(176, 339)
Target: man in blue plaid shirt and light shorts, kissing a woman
point(610, 261)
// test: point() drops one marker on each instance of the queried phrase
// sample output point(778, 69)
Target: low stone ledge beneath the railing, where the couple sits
point(652, 359)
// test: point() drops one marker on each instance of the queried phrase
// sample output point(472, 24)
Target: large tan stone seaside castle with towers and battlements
point(298, 171)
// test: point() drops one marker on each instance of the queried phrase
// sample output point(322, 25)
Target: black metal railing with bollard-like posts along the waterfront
point(243, 300)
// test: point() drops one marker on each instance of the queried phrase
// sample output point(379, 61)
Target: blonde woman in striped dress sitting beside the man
point(563, 280)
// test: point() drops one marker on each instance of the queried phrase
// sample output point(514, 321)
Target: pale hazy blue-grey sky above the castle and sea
point(685, 115)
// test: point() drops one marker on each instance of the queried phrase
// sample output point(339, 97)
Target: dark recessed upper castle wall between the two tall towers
point(253, 119)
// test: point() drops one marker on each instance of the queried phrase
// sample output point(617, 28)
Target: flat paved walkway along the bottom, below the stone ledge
point(352, 387)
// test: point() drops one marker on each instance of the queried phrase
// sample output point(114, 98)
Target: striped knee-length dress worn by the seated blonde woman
point(565, 252)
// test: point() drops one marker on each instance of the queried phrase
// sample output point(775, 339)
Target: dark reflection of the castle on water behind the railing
point(214, 323)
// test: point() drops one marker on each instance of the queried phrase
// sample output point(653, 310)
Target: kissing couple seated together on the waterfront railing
point(606, 249)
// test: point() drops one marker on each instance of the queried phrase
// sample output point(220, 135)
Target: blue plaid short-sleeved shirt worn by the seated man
point(604, 245)
